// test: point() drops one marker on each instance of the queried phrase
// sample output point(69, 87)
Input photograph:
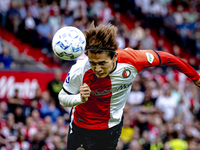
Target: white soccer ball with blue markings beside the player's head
point(68, 43)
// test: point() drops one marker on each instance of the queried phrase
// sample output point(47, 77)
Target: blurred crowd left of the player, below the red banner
point(34, 124)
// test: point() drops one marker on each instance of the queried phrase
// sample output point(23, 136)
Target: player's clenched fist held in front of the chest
point(85, 92)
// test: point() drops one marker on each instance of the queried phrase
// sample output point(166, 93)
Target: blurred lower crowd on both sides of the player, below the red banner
point(161, 113)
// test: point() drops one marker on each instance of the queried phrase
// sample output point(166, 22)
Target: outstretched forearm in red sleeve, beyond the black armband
point(180, 65)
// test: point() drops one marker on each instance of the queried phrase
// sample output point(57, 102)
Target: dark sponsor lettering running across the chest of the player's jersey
point(105, 92)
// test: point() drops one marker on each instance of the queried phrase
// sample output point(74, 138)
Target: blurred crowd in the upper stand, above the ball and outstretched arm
point(175, 20)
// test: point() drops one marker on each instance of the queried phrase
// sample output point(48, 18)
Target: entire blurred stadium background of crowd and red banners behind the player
point(163, 110)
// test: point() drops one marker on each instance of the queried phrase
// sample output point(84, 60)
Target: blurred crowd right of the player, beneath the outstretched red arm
point(161, 114)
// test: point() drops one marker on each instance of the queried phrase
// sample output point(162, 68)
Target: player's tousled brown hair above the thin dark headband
point(101, 38)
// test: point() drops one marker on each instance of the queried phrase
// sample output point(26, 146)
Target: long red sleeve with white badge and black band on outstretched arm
point(141, 59)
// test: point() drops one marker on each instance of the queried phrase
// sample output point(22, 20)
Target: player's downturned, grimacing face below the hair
point(101, 63)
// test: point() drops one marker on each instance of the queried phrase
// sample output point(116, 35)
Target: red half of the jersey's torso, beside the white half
point(95, 113)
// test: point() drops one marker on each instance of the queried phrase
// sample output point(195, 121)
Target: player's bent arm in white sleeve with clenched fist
point(74, 92)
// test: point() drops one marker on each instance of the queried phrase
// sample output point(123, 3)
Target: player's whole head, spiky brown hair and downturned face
point(100, 48)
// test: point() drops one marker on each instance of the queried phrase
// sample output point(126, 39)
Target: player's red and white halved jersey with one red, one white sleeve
point(104, 107)
